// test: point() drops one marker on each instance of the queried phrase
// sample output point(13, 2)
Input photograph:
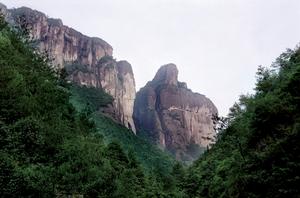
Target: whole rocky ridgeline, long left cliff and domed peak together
point(186, 130)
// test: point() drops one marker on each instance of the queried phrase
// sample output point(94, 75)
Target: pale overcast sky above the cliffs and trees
point(217, 45)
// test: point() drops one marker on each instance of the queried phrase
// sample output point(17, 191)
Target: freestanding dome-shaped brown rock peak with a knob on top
point(173, 116)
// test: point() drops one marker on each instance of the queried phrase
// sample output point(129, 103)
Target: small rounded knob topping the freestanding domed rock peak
point(167, 74)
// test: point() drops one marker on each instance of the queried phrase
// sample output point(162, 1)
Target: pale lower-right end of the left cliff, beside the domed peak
point(117, 79)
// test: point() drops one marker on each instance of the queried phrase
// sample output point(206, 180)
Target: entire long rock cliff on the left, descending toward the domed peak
point(88, 60)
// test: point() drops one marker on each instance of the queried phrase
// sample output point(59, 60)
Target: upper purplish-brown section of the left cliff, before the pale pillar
point(62, 43)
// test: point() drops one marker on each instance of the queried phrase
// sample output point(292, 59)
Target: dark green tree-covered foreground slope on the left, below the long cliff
point(50, 149)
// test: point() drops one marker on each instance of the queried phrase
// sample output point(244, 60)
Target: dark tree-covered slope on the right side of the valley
point(258, 152)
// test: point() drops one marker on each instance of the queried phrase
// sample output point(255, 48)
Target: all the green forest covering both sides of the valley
point(54, 143)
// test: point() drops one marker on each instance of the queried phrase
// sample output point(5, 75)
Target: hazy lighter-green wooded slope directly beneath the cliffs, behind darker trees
point(152, 158)
